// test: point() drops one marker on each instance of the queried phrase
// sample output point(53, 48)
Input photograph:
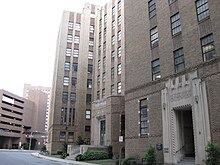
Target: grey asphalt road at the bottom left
point(23, 158)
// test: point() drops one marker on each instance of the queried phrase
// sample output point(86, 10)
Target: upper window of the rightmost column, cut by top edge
point(202, 9)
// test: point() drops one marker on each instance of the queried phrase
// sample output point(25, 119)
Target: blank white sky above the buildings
point(28, 34)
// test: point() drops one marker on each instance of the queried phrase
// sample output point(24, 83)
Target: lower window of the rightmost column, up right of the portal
point(208, 47)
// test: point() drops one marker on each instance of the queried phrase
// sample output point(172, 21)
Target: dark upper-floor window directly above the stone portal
point(179, 60)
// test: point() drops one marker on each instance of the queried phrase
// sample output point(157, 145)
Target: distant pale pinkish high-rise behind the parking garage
point(34, 93)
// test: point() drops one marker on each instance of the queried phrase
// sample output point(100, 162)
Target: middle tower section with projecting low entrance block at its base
point(108, 119)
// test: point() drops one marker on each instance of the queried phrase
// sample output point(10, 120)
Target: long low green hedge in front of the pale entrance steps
point(92, 155)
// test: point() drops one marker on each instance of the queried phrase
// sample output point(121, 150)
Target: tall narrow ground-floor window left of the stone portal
point(144, 122)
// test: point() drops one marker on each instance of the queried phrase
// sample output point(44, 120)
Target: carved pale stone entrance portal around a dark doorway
point(186, 129)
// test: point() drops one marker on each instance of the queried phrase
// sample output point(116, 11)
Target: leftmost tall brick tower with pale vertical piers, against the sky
point(71, 96)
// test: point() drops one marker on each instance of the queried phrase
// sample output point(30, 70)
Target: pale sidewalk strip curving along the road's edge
point(61, 160)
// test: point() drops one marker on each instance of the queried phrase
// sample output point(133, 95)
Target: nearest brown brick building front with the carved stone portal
point(172, 77)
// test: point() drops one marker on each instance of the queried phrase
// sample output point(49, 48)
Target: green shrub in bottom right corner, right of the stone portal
point(213, 154)
